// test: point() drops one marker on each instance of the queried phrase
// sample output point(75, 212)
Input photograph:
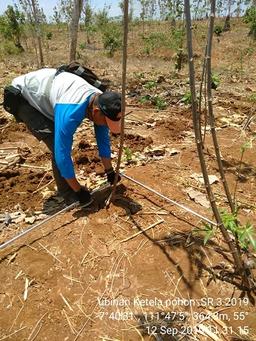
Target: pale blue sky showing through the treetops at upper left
point(48, 5)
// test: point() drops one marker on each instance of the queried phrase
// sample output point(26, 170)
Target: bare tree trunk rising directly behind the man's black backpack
point(77, 8)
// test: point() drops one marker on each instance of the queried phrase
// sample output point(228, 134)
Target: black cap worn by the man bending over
point(110, 104)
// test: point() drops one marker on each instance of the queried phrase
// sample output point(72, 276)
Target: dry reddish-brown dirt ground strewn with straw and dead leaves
point(137, 270)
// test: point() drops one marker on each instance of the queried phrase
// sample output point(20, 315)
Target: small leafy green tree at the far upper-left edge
point(12, 25)
